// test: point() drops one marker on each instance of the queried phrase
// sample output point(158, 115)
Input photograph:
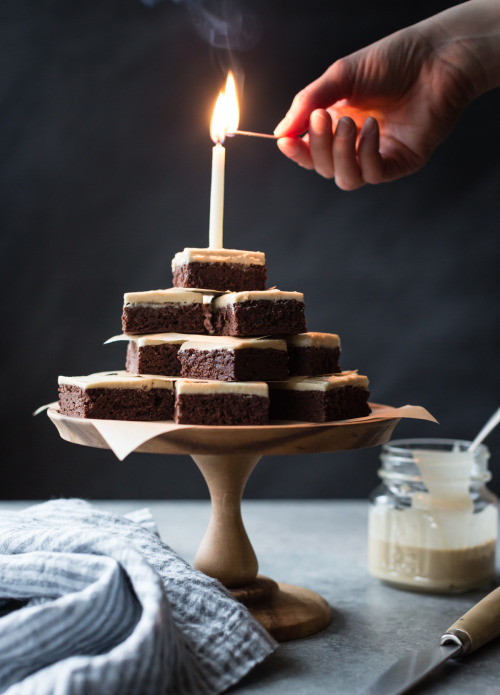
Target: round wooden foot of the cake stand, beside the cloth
point(286, 611)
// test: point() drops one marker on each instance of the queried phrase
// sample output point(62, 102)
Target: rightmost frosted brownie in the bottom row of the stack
point(320, 399)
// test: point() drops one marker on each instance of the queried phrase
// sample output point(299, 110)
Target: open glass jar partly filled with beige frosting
point(432, 522)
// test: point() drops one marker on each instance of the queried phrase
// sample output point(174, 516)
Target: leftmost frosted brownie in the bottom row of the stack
point(117, 396)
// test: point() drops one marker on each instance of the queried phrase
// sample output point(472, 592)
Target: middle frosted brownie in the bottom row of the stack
point(221, 402)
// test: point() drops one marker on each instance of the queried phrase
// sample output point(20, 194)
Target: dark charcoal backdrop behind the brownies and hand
point(105, 175)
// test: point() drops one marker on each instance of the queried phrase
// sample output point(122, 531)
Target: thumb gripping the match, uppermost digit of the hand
point(333, 85)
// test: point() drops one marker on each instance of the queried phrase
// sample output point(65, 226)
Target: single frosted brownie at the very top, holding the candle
point(220, 269)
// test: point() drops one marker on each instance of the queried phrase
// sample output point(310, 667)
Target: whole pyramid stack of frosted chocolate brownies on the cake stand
point(220, 349)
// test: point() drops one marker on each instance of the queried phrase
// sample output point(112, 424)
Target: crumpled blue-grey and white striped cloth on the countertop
point(94, 603)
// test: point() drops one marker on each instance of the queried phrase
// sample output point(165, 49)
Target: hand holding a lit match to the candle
point(379, 113)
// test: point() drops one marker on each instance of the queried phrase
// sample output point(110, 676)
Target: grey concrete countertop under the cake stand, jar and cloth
point(321, 545)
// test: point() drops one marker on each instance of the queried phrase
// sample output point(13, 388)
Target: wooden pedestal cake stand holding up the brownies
point(226, 457)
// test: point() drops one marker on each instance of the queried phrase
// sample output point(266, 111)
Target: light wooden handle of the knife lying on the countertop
point(478, 626)
